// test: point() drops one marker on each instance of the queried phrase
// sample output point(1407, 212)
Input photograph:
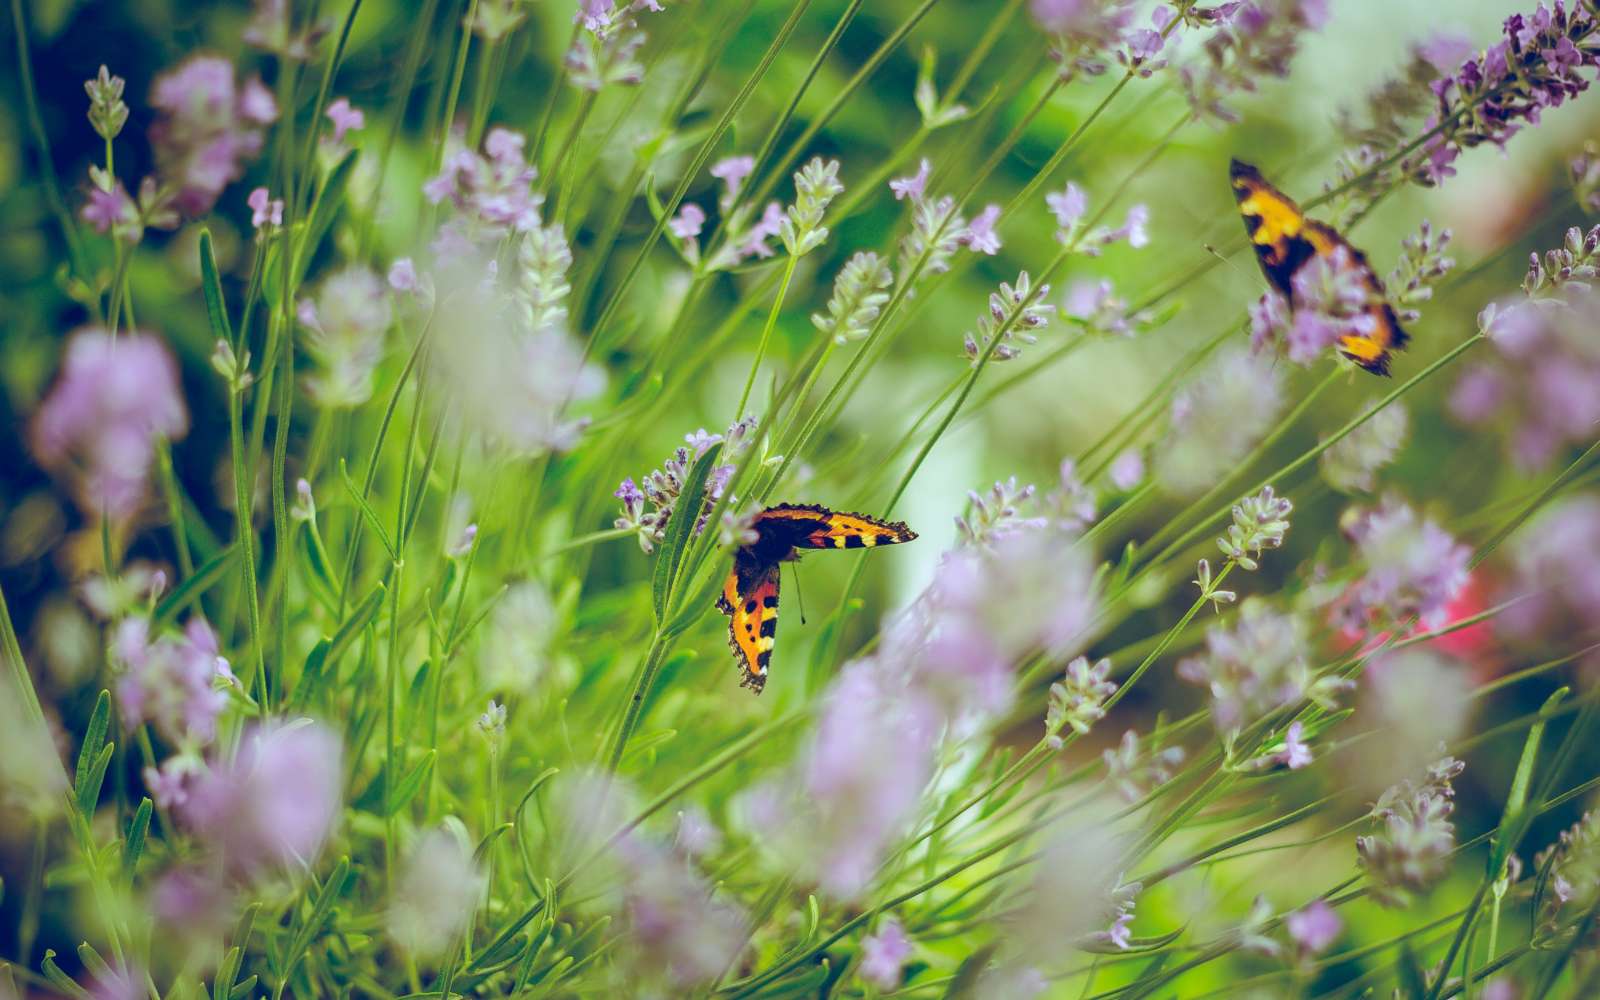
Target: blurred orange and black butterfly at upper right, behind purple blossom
point(1286, 241)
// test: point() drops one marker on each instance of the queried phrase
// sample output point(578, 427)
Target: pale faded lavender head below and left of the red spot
point(1255, 666)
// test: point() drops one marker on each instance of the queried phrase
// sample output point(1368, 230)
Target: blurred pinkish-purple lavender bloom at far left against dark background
point(103, 418)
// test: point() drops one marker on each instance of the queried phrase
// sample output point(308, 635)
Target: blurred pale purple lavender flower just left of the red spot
point(1412, 569)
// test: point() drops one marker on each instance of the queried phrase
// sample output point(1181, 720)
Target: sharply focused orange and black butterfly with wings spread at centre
point(750, 598)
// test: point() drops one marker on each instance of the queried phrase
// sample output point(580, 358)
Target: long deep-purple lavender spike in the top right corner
point(1538, 65)
